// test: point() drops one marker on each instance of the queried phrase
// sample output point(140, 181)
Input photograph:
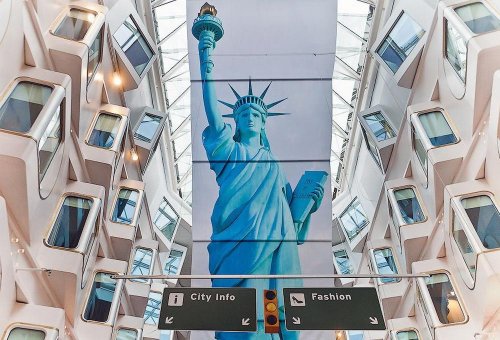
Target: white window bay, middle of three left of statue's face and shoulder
point(104, 145)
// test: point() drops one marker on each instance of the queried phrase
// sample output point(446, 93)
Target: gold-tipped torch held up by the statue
point(207, 24)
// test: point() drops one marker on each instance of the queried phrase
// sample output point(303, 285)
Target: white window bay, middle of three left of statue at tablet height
point(123, 217)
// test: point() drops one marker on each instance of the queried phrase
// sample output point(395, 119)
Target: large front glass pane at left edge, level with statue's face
point(22, 107)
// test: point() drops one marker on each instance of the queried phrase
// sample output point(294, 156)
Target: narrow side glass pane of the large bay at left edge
point(49, 142)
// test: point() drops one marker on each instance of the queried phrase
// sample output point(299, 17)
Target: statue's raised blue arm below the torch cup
point(205, 46)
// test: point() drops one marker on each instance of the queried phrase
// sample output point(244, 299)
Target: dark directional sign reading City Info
point(209, 309)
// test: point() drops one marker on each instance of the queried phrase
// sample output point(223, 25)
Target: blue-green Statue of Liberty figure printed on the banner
point(253, 229)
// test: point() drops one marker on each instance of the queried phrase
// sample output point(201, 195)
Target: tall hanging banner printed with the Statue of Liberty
point(261, 130)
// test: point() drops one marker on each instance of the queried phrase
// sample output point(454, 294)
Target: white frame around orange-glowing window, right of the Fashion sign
point(426, 301)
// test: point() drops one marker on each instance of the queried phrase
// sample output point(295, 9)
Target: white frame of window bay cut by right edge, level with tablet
point(458, 211)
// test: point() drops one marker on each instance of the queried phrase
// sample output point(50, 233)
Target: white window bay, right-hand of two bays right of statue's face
point(437, 151)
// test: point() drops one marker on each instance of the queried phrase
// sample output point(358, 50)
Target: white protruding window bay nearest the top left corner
point(75, 41)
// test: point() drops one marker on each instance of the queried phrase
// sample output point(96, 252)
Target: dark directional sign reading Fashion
point(332, 308)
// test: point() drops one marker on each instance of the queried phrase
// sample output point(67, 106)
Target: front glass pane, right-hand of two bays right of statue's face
point(437, 128)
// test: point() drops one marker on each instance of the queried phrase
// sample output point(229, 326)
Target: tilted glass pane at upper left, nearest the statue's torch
point(134, 45)
